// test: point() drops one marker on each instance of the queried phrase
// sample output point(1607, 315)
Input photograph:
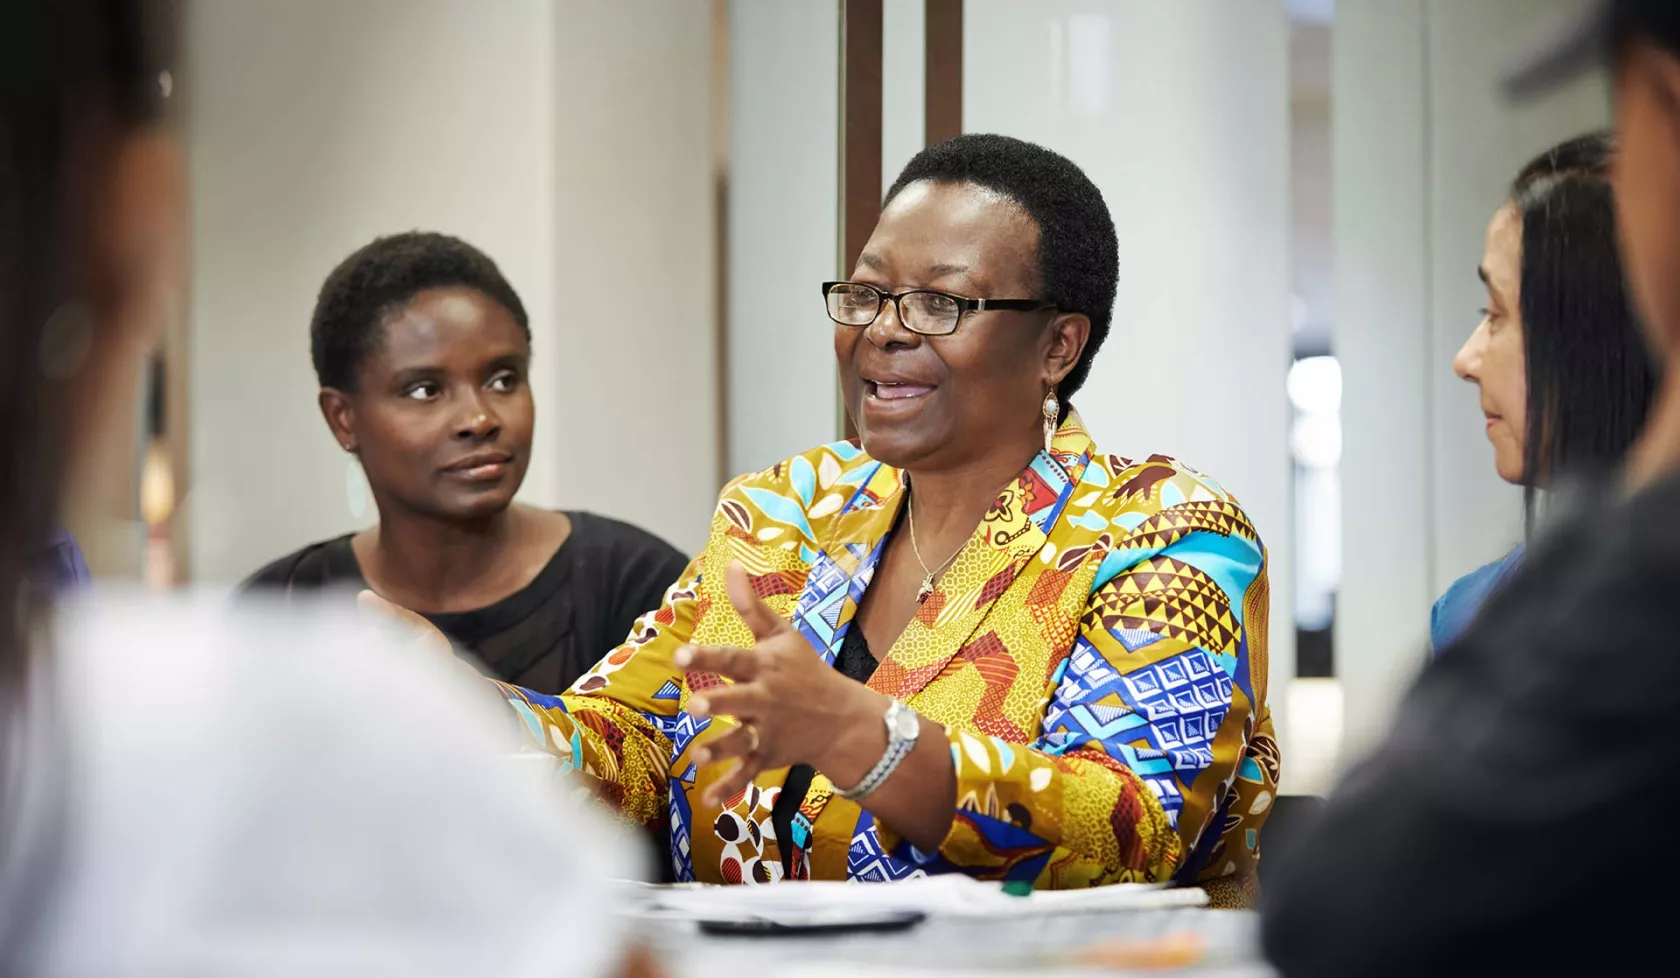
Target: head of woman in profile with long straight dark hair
point(1560, 362)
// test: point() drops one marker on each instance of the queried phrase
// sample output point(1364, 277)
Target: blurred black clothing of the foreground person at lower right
point(1518, 821)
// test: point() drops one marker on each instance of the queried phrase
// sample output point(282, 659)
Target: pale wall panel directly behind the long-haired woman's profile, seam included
point(1424, 154)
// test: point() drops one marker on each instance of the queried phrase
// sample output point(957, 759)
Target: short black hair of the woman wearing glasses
point(1079, 256)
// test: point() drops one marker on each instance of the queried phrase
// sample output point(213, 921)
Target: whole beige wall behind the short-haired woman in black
point(570, 142)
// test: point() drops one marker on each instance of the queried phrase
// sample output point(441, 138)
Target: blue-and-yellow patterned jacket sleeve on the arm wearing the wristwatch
point(1147, 725)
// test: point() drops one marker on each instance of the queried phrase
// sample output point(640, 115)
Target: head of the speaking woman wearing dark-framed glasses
point(975, 218)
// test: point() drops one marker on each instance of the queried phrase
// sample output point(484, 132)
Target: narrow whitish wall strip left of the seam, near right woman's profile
point(1382, 302)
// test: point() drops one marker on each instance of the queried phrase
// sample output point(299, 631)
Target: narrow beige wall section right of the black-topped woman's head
point(634, 431)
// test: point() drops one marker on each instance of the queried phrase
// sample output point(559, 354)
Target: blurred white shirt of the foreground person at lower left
point(251, 792)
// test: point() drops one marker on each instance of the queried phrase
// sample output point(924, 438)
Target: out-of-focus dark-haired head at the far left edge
point(90, 253)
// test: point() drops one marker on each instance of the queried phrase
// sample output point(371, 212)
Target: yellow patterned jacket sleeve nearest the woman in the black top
point(621, 723)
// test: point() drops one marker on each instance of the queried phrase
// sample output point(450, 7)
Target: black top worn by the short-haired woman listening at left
point(577, 609)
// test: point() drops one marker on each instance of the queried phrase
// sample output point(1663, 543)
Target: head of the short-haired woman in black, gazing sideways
point(423, 350)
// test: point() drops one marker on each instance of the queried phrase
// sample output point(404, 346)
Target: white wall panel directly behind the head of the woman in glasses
point(1180, 113)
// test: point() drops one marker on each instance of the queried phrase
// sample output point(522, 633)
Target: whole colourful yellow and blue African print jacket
point(1096, 653)
